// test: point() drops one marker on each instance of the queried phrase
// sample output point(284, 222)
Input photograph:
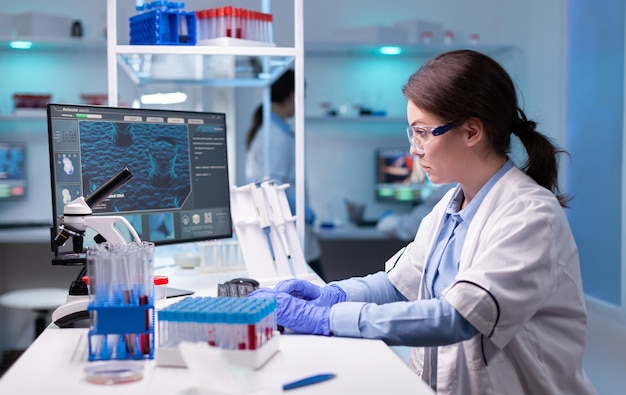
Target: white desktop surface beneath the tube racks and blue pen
point(55, 362)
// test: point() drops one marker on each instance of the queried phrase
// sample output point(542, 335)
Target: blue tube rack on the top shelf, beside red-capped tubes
point(163, 27)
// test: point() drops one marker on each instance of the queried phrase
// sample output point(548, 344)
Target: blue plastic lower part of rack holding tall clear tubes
point(121, 332)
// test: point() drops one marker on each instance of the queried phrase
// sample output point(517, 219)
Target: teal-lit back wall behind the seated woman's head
point(528, 38)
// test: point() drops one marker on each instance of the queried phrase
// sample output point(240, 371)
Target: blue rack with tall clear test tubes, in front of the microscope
point(121, 302)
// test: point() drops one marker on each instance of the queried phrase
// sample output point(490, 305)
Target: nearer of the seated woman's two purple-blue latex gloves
point(297, 314)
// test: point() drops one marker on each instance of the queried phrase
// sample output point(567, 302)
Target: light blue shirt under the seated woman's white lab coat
point(375, 309)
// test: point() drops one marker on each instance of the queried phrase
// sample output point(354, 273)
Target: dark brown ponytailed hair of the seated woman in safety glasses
point(463, 84)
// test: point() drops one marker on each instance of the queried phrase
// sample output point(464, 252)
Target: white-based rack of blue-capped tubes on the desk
point(243, 329)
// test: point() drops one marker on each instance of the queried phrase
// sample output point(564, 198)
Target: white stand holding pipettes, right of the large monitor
point(270, 246)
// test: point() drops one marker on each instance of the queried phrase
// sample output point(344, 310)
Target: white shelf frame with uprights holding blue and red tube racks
point(273, 61)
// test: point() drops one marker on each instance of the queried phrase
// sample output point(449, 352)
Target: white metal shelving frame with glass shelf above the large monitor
point(273, 59)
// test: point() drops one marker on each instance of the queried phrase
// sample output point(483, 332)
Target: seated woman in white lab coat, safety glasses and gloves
point(489, 292)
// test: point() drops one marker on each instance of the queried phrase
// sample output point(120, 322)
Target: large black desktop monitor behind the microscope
point(179, 190)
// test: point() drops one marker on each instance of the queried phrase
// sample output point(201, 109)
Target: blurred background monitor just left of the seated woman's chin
point(399, 177)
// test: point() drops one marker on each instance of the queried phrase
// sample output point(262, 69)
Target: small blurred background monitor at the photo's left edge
point(12, 171)
